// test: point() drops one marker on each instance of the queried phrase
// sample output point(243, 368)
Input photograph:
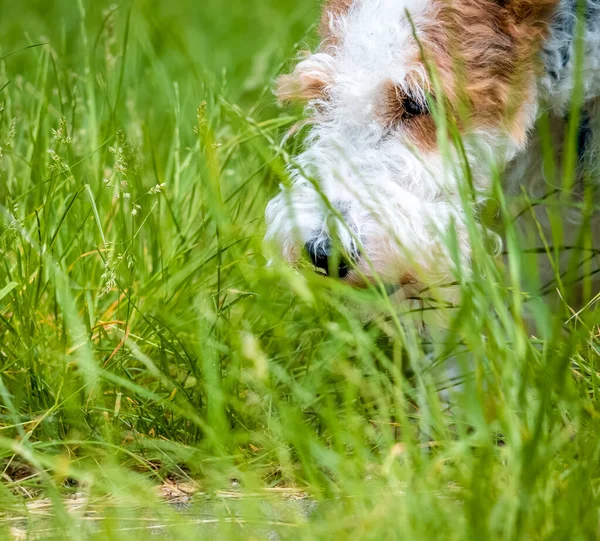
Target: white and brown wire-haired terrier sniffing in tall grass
point(378, 189)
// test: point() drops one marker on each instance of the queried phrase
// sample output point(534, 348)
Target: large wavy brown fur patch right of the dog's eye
point(485, 53)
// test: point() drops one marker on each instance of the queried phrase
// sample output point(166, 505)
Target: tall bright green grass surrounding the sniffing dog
point(144, 341)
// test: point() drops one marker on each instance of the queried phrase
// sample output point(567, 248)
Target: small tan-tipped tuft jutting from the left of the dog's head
point(309, 80)
